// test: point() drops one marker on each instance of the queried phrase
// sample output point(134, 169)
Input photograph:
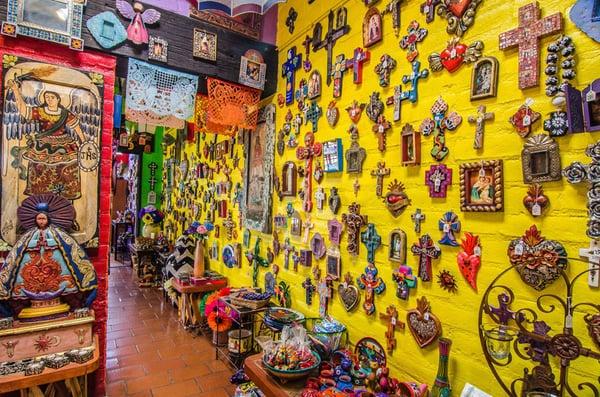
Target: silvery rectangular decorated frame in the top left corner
point(58, 21)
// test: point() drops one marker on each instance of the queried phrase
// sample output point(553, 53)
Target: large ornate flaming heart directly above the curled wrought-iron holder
point(538, 261)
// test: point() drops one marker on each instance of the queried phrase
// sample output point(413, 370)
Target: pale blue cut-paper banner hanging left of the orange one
point(159, 96)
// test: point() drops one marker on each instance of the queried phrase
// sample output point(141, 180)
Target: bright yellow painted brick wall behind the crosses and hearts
point(565, 220)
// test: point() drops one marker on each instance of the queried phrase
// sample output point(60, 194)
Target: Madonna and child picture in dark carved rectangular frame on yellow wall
point(482, 186)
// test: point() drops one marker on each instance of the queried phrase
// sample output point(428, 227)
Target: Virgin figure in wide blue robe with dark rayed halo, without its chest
point(46, 274)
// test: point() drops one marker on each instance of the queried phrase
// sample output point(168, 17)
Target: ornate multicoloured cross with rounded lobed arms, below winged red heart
point(438, 124)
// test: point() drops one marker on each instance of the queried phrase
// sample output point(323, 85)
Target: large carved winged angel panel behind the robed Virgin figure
point(52, 127)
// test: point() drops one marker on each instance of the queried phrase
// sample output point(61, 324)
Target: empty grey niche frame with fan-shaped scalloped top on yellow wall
point(541, 160)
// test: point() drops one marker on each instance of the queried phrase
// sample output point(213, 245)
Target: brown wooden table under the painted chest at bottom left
point(73, 375)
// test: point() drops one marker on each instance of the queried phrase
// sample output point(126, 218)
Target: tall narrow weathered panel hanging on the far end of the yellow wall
point(258, 178)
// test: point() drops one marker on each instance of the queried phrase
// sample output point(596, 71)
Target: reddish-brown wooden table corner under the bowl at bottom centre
point(270, 386)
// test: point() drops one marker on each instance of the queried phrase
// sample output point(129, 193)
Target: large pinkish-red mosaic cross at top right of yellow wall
point(527, 37)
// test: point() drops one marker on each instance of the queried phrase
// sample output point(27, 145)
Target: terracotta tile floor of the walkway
point(149, 353)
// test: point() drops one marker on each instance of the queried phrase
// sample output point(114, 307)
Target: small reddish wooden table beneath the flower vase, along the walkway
point(189, 313)
